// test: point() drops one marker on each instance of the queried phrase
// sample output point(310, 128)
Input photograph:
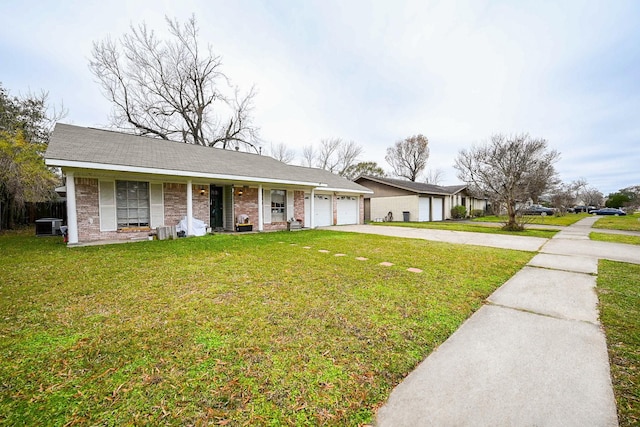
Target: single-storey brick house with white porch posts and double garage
point(122, 186)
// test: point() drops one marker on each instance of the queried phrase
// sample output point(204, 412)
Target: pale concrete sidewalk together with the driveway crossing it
point(534, 355)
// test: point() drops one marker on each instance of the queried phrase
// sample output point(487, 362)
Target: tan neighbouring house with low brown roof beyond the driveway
point(424, 202)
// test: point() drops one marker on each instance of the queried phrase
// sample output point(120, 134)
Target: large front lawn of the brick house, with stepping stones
point(227, 329)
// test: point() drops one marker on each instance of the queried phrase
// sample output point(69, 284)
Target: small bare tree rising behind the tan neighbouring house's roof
point(408, 157)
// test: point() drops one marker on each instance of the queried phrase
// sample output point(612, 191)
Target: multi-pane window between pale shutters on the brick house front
point(132, 203)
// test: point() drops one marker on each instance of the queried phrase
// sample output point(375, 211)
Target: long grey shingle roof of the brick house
point(102, 148)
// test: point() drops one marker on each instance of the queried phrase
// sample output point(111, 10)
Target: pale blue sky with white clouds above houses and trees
point(378, 71)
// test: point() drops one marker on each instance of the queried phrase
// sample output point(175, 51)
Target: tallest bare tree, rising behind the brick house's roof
point(172, 89)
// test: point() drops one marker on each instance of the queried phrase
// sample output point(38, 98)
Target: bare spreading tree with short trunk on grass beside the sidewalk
point(504, 168)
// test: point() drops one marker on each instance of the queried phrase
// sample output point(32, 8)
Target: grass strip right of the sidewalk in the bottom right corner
point(620, 314)
